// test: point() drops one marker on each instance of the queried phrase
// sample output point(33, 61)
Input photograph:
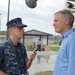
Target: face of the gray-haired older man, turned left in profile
point(59, 24)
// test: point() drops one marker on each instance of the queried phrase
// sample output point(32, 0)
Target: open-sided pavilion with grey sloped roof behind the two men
point(31, 37)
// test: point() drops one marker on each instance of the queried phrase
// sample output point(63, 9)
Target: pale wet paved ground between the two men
point(43, 65)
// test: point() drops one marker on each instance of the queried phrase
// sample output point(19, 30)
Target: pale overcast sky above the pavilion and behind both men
point(39, 18)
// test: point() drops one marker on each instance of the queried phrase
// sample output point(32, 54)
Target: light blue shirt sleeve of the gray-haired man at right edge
point(71, 64)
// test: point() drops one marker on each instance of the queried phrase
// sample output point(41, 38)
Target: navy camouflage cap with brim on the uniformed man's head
point(17, 22)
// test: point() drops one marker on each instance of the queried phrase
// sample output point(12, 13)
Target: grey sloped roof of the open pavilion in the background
point(37, 33)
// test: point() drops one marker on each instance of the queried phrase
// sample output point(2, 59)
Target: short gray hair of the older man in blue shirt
point(67, 14)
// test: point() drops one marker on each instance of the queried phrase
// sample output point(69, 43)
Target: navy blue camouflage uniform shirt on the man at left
point(9, 60)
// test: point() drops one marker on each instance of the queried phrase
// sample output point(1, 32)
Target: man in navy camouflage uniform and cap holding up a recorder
point(13, 56)
